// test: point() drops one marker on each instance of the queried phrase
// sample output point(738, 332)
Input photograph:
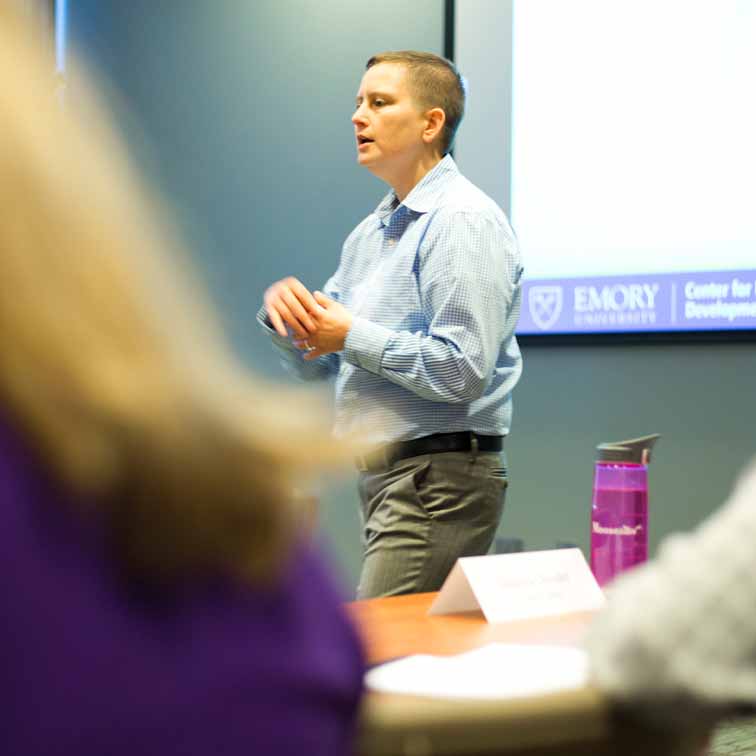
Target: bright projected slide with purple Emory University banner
point(634, 164)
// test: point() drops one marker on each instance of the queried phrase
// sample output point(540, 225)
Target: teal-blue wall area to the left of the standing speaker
point(241, 110)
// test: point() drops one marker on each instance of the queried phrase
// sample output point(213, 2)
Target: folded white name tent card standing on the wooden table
point(524, 585)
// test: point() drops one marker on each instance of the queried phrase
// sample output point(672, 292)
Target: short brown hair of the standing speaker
point(435, 83)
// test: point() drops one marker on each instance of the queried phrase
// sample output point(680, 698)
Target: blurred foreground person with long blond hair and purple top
point(157, 591)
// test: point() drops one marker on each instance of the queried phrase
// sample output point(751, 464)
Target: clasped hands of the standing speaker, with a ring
point(319, 325)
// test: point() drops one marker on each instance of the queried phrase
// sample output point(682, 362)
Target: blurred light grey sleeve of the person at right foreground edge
point(677, 641)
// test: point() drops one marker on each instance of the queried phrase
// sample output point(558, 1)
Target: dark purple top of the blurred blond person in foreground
point(92, 666)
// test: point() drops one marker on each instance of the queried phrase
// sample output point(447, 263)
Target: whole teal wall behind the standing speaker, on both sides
point(241, 110)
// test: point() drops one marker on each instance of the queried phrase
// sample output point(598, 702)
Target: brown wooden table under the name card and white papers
point(559, 724)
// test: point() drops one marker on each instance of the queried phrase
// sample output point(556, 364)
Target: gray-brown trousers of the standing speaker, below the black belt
point(422, 513)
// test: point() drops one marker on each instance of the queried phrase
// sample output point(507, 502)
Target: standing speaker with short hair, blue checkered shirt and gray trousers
point(417, 326)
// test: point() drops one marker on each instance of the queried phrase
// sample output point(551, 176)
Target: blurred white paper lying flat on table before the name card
point(498, 670)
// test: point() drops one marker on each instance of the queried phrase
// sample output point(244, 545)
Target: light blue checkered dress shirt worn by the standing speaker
point(433, 284)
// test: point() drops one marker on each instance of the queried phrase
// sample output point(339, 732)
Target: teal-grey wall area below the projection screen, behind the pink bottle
point(700, 397)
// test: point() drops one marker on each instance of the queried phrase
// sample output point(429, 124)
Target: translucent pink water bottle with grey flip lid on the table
point(619, 513)
